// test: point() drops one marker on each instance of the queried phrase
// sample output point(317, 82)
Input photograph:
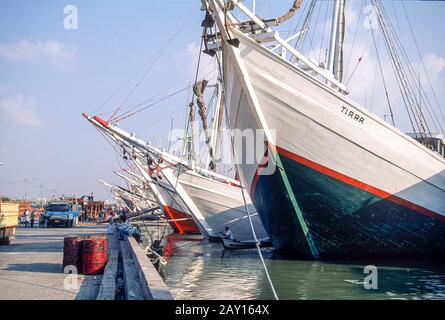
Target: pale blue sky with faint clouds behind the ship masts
point(50, 75)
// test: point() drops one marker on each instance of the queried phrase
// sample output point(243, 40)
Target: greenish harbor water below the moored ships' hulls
point(199, 269)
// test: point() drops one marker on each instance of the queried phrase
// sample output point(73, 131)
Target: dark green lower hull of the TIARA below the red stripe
point(342, 219)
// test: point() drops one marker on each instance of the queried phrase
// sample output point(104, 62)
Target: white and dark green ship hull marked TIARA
point(346, 184)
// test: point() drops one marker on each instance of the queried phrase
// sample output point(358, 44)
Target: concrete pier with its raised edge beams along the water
point(31, 268)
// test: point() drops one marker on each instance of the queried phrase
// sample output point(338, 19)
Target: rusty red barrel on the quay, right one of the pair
point(94, 254)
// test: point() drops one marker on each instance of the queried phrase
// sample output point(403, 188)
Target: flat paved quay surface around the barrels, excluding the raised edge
point(31, 267)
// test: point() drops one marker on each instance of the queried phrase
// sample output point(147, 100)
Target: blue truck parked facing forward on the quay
point(62, 213)
